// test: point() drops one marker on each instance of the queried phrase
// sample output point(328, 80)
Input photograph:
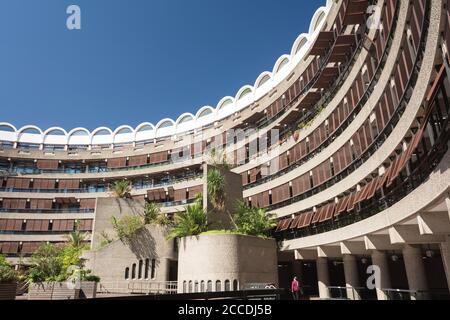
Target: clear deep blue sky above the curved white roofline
point(136, 60)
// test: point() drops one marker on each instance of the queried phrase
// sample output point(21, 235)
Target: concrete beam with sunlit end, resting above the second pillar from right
point(411, 235)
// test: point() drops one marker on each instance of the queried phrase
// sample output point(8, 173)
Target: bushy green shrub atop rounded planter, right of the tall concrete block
point(253, 221)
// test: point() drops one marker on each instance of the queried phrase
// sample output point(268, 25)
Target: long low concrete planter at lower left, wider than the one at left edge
point(61, 291)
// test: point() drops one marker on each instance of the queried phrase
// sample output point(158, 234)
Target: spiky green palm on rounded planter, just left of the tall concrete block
point(190, 223)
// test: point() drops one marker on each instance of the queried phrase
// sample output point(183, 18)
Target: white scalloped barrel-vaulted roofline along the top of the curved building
point(237, 104)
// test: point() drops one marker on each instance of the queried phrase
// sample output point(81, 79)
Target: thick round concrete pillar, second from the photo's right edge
point(415, 270)
